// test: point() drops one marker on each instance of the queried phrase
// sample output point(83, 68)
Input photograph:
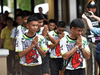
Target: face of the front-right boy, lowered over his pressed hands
point(76, 32)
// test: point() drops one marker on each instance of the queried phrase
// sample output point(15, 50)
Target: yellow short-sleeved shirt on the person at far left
point(6, 35)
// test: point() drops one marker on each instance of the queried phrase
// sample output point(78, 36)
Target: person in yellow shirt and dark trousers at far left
point(5, 41)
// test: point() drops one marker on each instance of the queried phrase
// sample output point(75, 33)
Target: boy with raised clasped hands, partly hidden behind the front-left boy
point(44, 32)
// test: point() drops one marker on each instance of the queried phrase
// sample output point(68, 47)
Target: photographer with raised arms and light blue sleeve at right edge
point(95, 30)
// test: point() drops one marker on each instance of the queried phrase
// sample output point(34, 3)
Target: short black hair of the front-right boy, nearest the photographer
point(77, 23)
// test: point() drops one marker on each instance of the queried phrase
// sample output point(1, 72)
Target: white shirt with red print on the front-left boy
point(33, 57)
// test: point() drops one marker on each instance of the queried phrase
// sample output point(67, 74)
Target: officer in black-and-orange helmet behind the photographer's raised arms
point(90, 6)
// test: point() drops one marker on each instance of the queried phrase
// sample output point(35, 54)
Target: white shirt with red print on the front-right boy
point(77, 60)
